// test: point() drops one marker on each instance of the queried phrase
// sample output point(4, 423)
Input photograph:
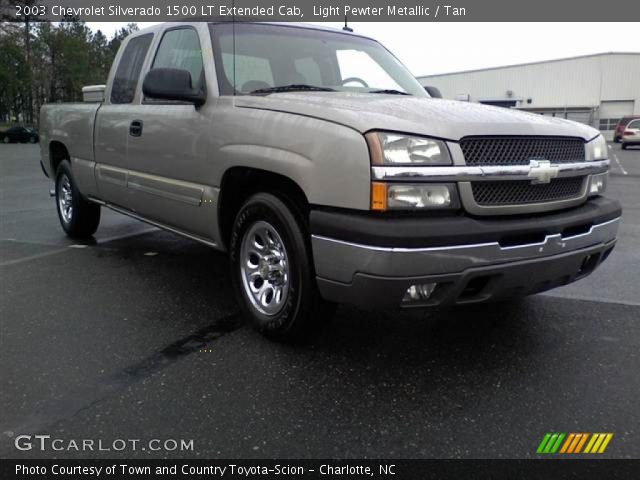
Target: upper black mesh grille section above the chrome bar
point(520, 150)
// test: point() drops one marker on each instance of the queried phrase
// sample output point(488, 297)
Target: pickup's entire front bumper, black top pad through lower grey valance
point(471, 260)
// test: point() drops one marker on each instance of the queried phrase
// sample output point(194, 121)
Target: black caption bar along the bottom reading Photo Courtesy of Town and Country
point(584, 469)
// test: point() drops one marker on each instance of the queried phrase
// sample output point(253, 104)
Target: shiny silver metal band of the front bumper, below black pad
point(339, 261)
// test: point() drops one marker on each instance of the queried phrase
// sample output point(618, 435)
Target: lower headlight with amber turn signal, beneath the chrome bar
point(411, 196)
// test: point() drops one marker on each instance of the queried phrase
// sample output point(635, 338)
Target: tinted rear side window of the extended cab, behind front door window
point(128, 72)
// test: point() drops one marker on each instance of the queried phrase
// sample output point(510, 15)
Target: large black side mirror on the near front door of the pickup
point(171, 84)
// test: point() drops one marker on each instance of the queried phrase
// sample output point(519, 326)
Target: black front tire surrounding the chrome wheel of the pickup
point(302, 312)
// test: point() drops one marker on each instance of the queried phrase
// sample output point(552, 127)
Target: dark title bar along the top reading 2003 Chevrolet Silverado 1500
point(320, 10)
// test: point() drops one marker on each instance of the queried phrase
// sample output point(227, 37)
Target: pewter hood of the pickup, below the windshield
point(447, 119)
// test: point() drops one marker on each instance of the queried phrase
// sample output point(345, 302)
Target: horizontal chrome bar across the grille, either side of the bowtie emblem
point(481, 173)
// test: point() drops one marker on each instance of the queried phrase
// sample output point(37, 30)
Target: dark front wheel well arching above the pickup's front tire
point(239, 183)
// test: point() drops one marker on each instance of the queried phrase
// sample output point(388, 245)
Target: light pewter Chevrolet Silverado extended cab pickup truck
point(320, 164)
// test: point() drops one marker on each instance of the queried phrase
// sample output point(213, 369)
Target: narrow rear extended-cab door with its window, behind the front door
point(112, 122)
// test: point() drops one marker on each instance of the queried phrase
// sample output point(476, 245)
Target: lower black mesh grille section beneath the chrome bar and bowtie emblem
point(523, 192)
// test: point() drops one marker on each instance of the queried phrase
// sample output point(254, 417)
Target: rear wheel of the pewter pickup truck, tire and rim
point(78, 217)
